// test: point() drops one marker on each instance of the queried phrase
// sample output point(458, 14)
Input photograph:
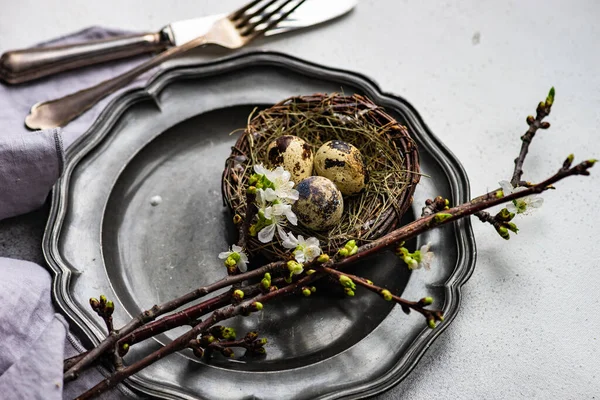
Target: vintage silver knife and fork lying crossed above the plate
point(233, 31)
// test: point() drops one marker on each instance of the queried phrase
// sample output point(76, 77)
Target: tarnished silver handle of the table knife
point(18, 66)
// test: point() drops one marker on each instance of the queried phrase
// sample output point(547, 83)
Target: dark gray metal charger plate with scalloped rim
point(170, 140)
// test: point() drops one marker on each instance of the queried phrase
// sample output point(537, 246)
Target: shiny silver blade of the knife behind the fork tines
point(311, 13)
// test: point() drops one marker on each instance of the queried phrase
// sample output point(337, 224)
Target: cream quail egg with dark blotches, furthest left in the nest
point(293, 154)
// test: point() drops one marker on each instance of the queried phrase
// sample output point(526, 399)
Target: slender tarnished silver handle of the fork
point(59, 112)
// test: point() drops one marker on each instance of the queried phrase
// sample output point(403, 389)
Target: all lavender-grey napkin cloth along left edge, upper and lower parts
point(32, 336)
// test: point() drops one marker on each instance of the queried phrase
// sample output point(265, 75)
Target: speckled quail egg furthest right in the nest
point(344, 165)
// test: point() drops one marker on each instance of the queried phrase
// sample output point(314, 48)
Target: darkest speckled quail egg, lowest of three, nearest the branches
point(320, 204)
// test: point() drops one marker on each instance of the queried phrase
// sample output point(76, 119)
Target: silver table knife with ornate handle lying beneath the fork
point(18, 66)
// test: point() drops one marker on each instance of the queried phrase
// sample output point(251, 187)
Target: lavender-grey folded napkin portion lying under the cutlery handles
point(30, 162)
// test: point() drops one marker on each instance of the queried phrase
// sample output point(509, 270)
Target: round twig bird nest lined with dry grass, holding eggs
point(388, 152)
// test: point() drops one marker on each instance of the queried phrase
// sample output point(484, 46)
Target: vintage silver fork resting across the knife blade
point(234, 31)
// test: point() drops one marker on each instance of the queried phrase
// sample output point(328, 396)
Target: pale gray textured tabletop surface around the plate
point(474, 71)
